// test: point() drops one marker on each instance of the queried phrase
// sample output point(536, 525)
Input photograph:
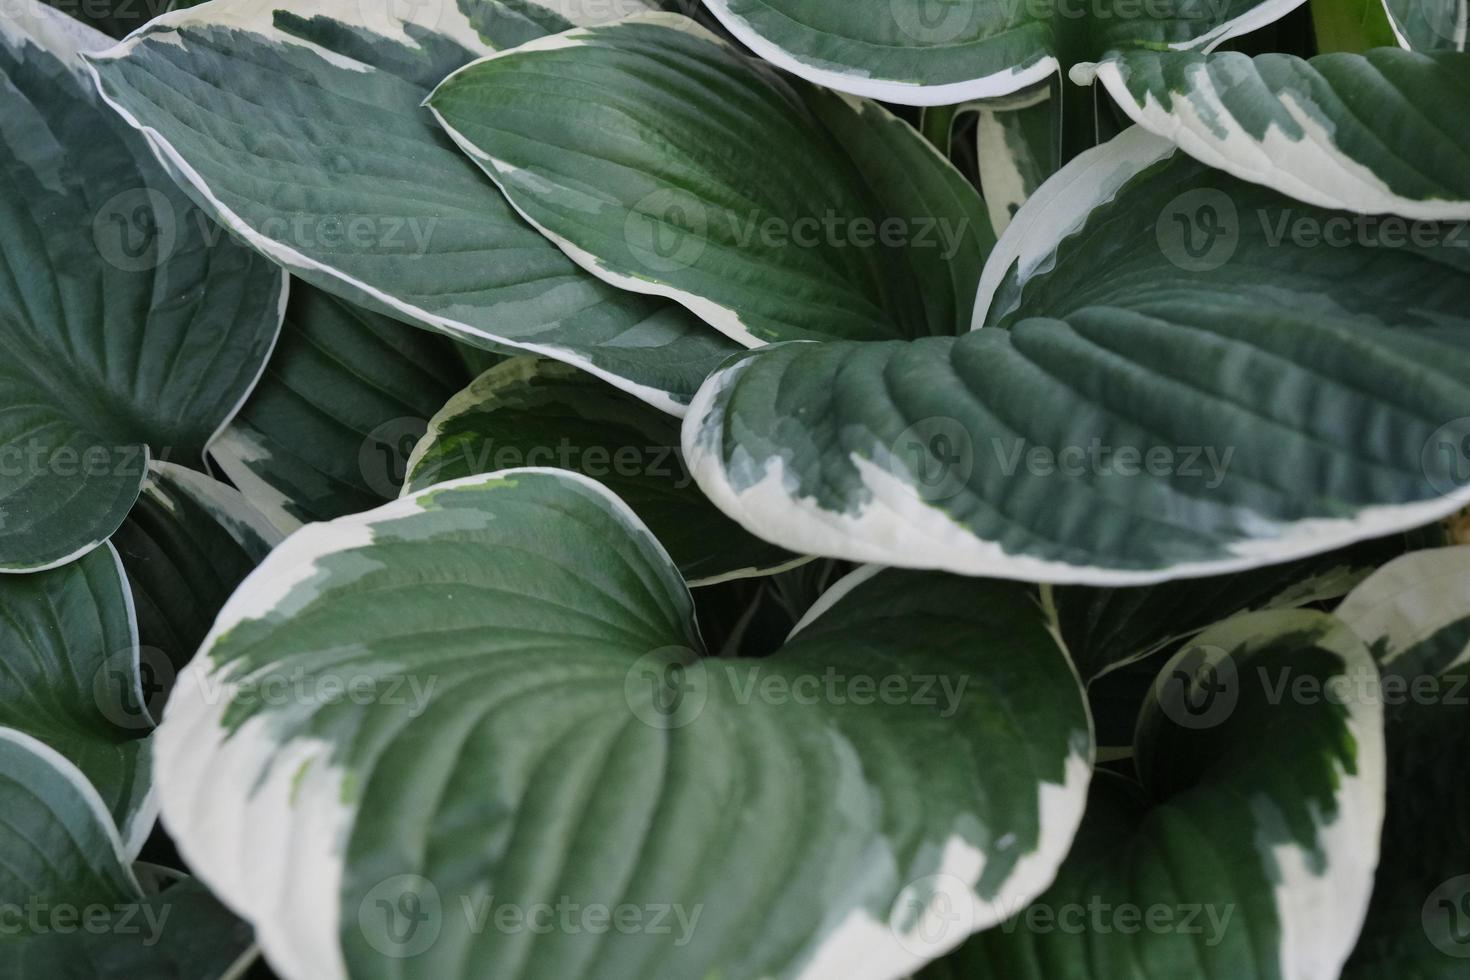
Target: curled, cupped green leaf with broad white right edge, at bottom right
point(1247, 850)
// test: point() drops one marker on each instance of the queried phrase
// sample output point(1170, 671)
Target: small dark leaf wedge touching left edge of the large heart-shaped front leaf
point(186, 546)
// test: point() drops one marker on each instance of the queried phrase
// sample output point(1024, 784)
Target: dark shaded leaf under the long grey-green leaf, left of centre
point(342, 405)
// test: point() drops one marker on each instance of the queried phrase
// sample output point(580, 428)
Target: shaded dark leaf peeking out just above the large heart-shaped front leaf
point(543, 414)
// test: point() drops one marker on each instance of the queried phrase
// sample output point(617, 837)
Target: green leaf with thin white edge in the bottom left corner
point(74, 909)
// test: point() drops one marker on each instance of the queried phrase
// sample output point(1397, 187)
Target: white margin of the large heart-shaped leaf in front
point(270, 840)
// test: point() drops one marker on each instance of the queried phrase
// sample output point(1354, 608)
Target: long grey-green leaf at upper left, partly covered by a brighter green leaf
point(305, 134)
